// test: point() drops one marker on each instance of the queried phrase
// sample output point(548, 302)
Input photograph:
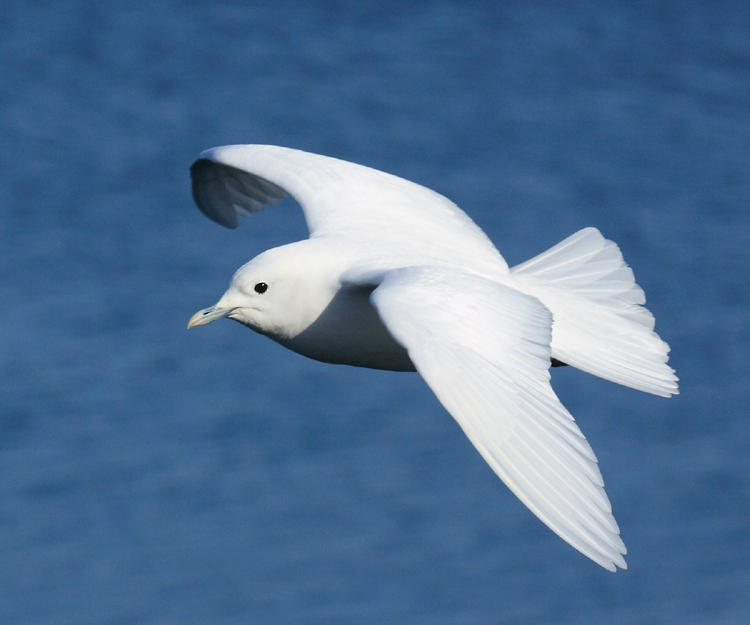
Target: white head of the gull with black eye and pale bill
point(275, 294)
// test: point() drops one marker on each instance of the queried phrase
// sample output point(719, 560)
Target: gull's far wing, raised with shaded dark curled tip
point(339, 199)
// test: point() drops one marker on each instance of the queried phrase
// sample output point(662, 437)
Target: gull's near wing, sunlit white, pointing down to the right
point(484, 350)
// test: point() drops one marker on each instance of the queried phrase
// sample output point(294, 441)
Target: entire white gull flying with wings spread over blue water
point(395, 276)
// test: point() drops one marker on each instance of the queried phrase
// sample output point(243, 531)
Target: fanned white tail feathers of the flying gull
point(600, 324)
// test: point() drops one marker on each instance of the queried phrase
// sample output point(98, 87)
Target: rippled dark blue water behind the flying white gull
point(150, 475)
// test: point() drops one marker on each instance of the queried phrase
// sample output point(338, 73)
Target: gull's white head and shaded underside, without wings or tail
point(309, 308)
